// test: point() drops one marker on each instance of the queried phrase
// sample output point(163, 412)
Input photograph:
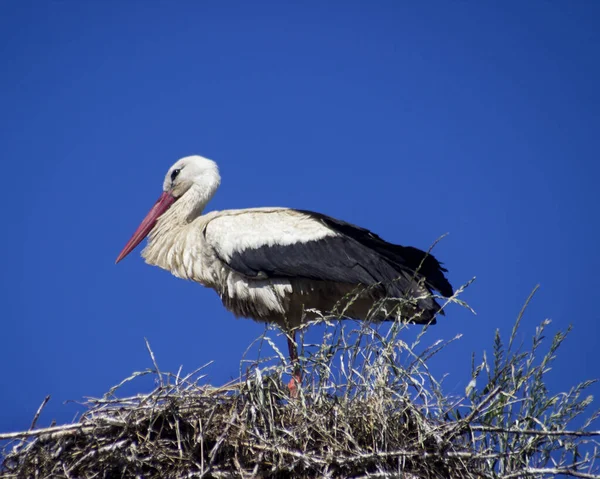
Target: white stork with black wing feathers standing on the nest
point(283, 265)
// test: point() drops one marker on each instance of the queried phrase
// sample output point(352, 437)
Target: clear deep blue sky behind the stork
point(412, 119)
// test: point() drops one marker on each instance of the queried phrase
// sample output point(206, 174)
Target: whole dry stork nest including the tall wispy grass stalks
point(368, 408)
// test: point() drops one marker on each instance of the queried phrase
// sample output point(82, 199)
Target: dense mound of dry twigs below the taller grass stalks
point(248, 429)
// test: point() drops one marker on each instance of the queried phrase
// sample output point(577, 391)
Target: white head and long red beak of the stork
point(187, 172)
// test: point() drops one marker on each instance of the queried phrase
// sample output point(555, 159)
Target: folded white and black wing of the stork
point(287, 243)
